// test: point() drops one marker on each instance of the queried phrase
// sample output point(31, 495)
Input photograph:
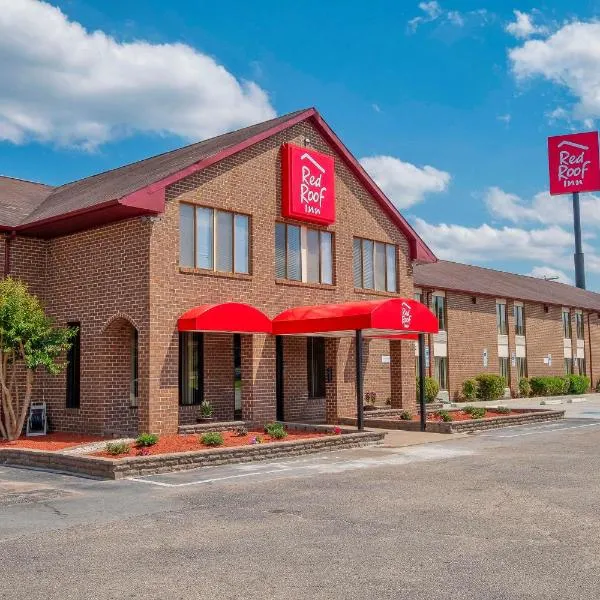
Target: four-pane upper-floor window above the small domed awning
point(213, 239)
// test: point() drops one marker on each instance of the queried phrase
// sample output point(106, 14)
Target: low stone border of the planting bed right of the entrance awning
point(530, 415)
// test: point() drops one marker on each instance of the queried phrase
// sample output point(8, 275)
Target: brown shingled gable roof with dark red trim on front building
point(139, 188)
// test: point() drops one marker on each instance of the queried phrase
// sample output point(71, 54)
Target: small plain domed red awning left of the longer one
point(230, 317)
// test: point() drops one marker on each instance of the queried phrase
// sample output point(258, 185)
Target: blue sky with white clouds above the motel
point(448, 104)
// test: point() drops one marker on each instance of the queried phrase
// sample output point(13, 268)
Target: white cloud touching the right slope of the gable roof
point(404, 183)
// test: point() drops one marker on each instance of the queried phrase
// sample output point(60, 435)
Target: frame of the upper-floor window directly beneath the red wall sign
point(303, 253)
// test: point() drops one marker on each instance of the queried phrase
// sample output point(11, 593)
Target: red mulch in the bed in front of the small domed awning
point(169, 444)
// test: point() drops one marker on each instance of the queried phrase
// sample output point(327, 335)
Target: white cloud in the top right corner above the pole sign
point(569, 57)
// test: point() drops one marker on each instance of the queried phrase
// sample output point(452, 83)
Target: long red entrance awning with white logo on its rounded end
point(376, 318)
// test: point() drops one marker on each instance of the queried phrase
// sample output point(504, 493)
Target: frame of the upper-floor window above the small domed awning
point(215, 212)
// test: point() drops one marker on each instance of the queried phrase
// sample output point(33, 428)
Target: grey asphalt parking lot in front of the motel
point(511, 513)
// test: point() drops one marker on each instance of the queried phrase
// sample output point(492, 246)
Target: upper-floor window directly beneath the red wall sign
point(303, 254)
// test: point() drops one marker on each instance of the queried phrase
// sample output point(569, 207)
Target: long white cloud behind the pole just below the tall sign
point(543, 208)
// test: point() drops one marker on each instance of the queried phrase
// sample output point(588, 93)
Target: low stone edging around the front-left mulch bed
point(106, 468)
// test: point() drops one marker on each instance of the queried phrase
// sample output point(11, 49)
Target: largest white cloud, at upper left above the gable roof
point(63, 84)
